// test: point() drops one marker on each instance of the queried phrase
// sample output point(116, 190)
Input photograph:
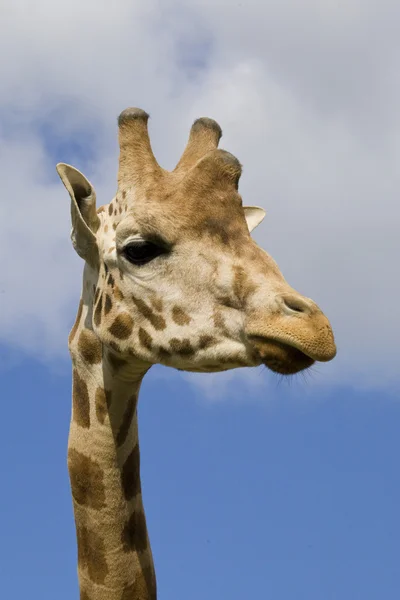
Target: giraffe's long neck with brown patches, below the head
point(114, 555)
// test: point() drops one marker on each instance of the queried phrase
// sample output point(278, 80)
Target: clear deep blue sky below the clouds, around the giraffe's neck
point(276, 495)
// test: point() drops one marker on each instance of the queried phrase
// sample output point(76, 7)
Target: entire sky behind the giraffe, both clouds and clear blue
point(252, 487)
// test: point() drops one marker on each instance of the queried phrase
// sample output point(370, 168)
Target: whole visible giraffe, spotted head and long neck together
point(171, 276)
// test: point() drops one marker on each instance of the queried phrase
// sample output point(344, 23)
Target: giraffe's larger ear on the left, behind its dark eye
point(85, 220)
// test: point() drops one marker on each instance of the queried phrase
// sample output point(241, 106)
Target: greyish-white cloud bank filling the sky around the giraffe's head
point(307, 95)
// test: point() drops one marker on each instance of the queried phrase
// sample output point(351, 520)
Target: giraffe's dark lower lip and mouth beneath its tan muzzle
point(281, 357)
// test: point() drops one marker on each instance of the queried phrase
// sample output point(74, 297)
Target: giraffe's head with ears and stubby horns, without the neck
point(172, 274)
